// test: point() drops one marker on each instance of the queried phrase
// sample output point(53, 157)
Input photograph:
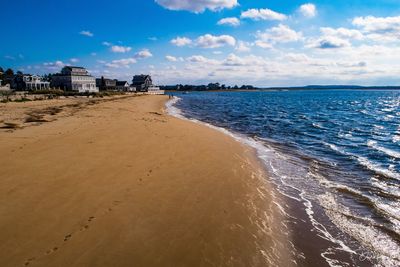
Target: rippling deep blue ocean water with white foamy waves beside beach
point(336, 153)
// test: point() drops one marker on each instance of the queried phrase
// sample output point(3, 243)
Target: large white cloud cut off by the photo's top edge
point(197, 6)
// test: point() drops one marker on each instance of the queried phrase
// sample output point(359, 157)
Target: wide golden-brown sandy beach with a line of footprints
point(118, 182)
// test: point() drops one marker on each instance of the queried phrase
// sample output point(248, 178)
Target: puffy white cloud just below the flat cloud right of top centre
point(279, 34)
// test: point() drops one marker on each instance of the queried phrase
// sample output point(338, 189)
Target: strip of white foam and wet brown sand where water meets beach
point(300, 213)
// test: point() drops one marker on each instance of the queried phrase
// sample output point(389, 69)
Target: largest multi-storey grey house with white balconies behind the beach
point(75, 79)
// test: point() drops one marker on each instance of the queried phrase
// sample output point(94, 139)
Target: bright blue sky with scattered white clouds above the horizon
point(257, 42)
